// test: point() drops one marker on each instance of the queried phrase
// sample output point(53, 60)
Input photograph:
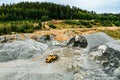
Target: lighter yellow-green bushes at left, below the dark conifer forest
point(19, 26)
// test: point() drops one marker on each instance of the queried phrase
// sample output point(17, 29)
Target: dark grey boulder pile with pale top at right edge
point(111, 52)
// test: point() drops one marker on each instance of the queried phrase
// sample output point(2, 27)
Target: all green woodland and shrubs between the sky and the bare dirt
point(21, 17)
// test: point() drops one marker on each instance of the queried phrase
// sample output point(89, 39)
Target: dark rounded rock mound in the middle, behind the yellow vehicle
point(78, 41)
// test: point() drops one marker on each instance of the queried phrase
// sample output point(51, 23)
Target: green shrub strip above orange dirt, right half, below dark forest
point(92, 23)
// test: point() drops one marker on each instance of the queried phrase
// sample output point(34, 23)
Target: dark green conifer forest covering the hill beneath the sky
point(46, 11)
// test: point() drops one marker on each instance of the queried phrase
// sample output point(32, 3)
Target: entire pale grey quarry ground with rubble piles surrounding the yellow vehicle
point(25, 59)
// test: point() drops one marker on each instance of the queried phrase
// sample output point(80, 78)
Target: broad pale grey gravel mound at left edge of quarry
point(20, 50)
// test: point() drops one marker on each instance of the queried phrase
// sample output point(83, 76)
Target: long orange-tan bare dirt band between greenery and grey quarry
point(63, 34)
